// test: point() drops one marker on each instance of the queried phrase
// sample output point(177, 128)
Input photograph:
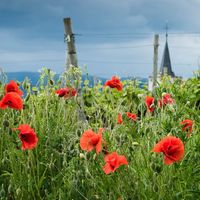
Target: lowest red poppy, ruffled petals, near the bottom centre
point(113, 161)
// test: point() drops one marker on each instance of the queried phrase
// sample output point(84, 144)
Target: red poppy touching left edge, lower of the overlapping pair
point(12, 100)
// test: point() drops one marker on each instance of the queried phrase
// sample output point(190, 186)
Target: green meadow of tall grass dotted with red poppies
point(122, 118)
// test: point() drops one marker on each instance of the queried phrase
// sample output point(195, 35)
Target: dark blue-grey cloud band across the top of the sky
point(101, 15)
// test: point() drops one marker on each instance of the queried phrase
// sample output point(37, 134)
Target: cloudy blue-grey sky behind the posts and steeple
point(111, 37)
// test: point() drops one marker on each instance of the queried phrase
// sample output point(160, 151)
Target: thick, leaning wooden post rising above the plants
point(71, 56)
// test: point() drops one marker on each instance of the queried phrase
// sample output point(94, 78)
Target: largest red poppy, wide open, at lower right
point(172, 148)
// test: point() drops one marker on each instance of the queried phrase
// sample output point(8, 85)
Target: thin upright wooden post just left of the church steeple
point(155, 59)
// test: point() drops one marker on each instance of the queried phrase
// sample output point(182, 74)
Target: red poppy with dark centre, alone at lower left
point(27, 136)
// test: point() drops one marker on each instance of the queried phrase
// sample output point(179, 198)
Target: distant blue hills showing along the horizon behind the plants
point(34, 77)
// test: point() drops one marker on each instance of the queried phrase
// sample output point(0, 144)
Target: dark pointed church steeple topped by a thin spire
point(166, 68)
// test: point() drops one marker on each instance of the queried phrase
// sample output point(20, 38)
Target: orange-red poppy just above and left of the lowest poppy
point(91, 140)
